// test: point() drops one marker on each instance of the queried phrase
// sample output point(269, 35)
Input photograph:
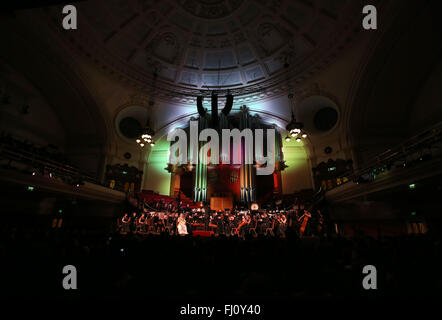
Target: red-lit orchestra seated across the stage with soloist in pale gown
point(240, 223)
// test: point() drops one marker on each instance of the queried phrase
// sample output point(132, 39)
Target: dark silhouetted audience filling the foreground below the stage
point(130, 265)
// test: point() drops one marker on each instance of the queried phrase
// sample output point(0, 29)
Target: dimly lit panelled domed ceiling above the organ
point(192, 45)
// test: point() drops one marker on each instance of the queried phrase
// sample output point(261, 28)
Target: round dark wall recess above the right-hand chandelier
point(319, 113)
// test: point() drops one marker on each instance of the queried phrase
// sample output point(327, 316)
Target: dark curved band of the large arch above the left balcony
point(63, 90)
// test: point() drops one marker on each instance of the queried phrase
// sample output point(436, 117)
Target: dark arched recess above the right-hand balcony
point(388, 108)
